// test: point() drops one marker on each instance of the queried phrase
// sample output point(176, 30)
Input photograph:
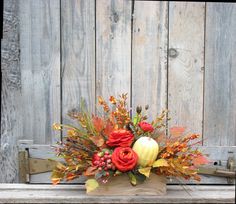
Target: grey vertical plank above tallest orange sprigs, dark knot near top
point(113, 47)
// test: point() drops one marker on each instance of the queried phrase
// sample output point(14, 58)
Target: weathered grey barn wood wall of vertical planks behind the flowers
point(175, 55)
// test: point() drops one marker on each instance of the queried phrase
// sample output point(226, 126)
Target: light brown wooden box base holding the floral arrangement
point(120, 185)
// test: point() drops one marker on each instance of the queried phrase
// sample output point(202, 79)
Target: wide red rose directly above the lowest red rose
point(121, 138)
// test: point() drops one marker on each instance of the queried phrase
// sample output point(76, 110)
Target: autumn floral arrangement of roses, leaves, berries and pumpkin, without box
point(112, 143)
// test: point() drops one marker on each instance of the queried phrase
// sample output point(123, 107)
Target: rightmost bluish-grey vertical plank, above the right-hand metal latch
point(220, 75)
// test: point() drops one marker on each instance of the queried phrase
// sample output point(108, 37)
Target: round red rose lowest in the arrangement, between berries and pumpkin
point(124, 158)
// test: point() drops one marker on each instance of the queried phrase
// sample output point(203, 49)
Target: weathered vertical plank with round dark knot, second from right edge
point(186, 70)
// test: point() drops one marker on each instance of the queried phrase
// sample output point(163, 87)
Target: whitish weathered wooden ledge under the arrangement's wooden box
point(33, 193)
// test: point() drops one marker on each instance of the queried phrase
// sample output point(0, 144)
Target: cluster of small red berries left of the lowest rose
point(103, 161)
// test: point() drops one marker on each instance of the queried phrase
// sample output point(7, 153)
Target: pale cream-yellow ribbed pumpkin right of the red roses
point(147, 150)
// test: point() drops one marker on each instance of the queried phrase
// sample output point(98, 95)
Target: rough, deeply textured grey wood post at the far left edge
point(10, 93)
